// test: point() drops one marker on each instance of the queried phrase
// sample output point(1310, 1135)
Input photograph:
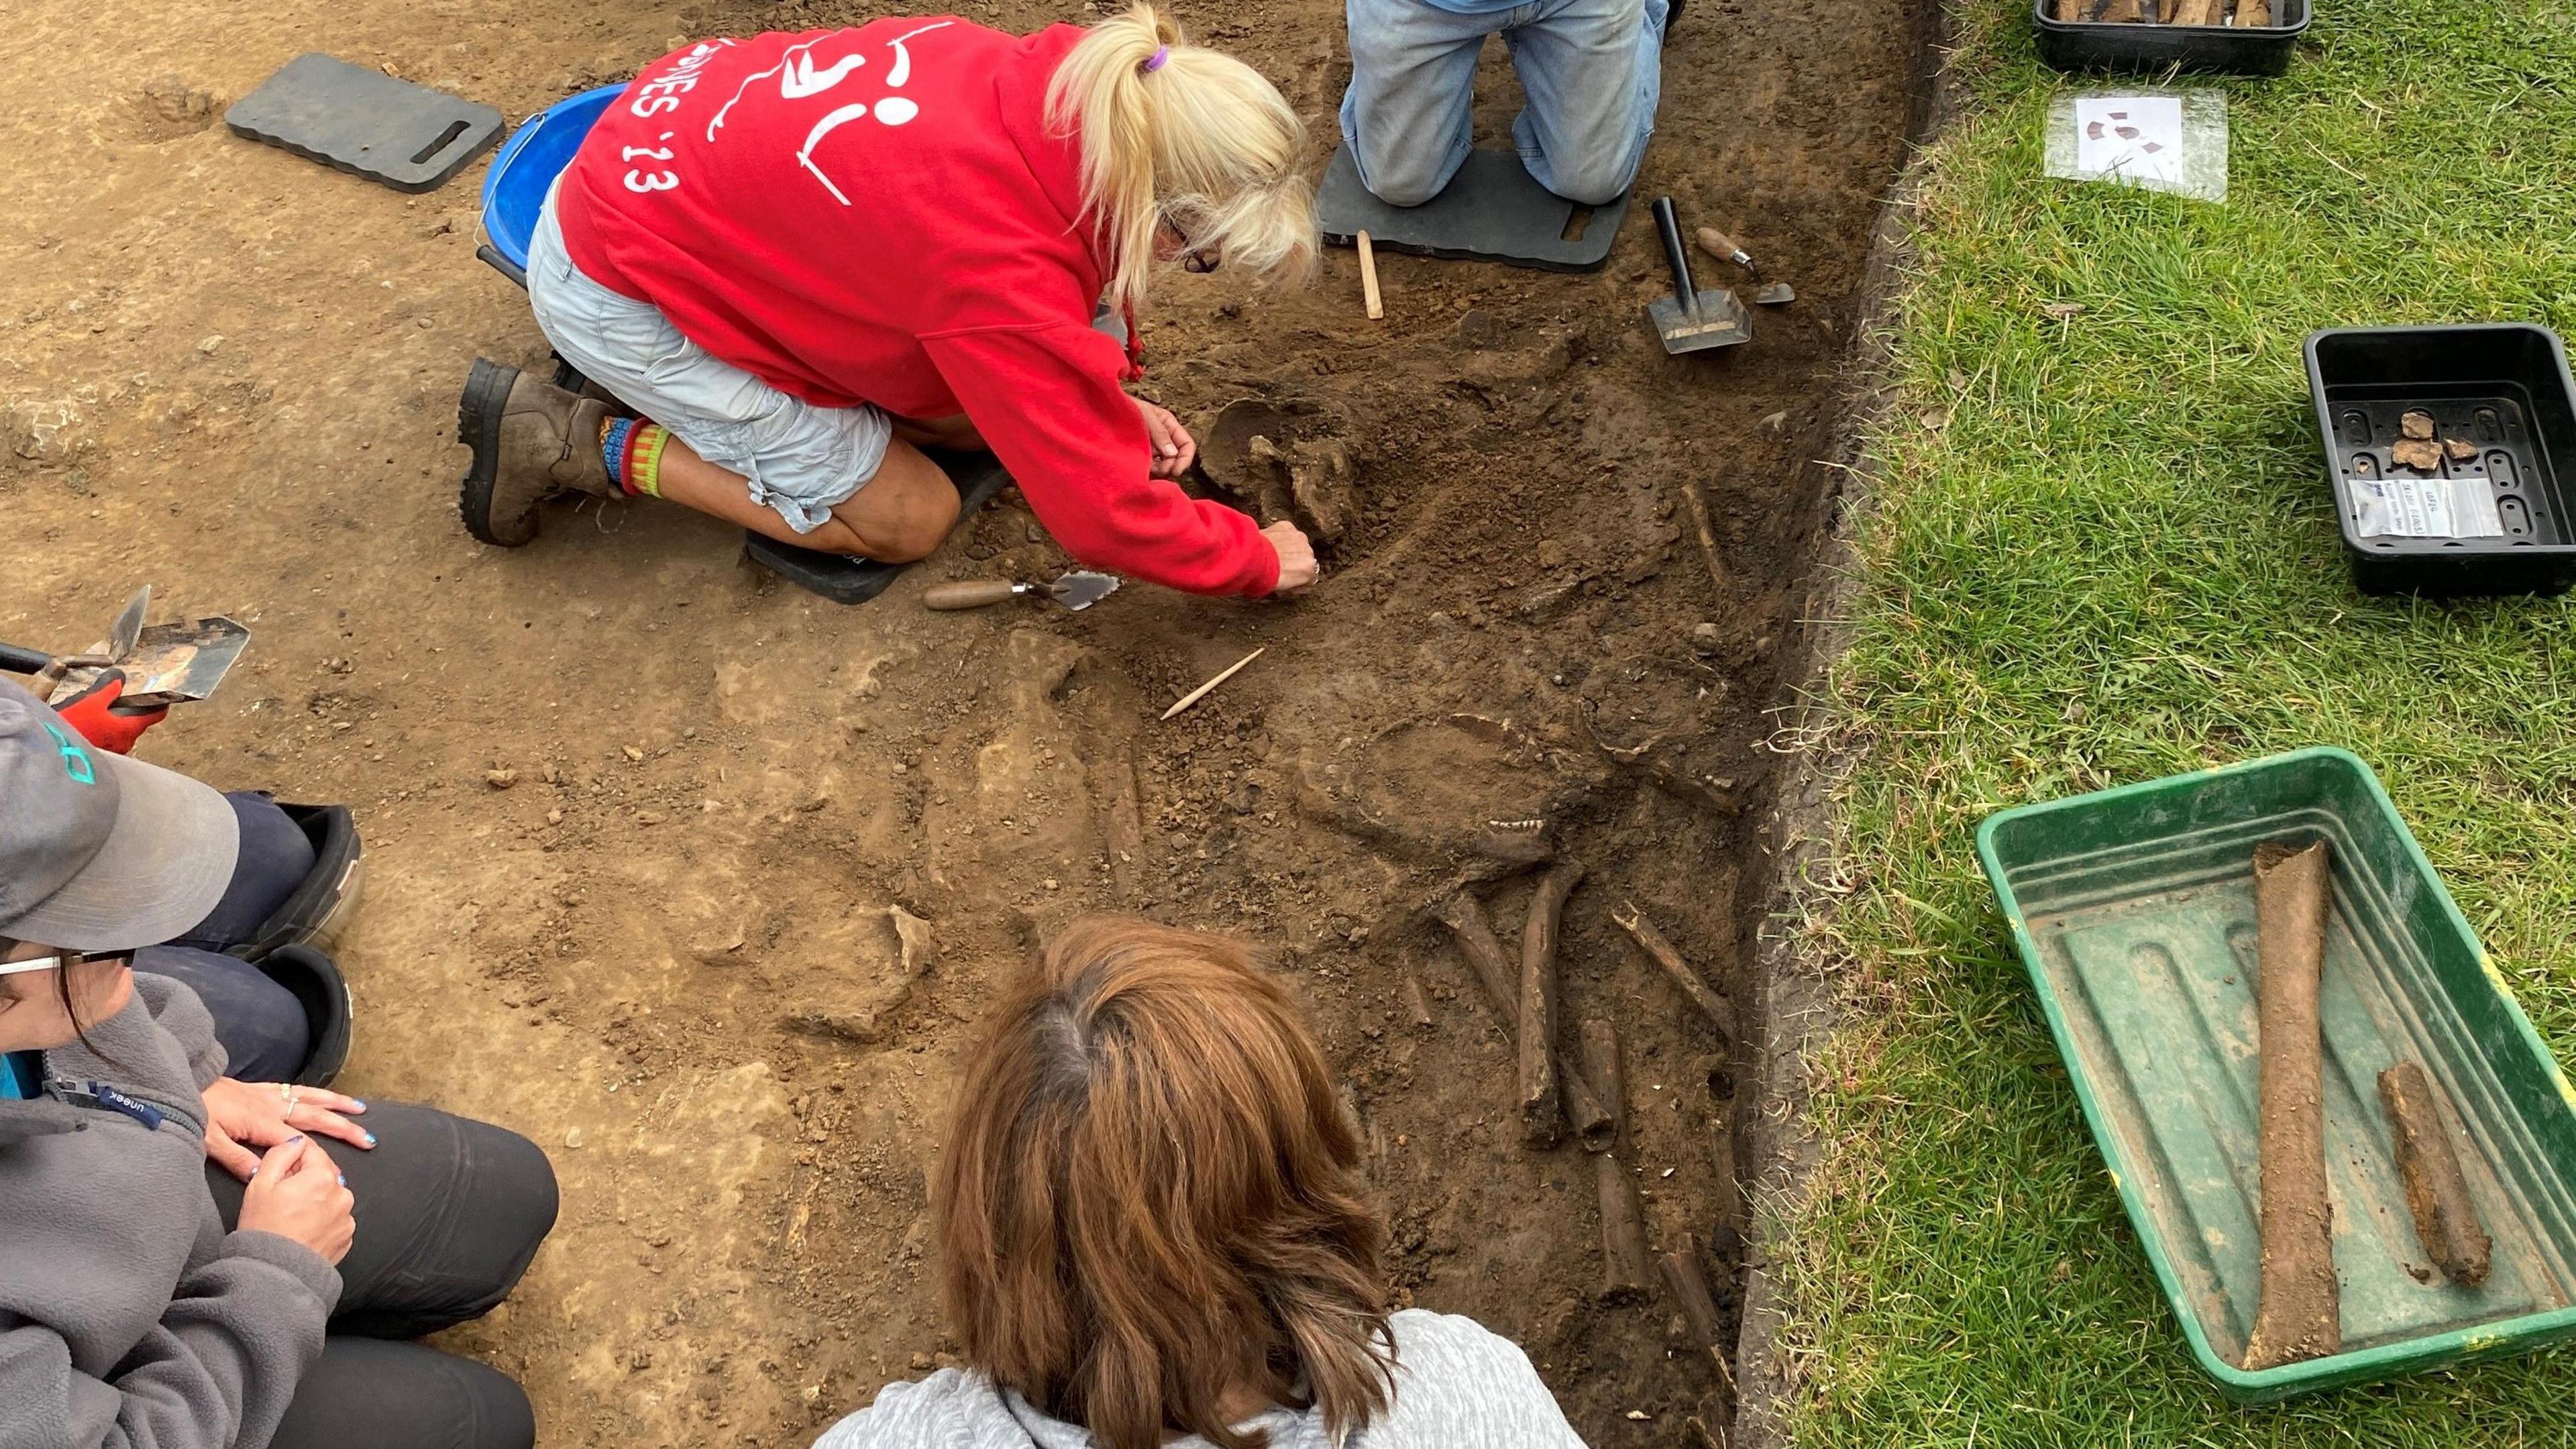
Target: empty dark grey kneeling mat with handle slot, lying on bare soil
point(367, 122)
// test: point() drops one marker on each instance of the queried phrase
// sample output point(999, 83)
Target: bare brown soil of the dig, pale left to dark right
point(681, 948)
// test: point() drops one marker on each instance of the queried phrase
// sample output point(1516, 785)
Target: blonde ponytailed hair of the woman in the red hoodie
point(1197, 138)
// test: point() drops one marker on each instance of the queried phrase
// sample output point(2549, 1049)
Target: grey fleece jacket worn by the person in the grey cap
point(128, 1314)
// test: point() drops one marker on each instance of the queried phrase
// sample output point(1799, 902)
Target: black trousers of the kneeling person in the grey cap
point(450, 1216)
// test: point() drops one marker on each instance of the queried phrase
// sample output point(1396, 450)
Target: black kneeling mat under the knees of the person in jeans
point(1490, 213)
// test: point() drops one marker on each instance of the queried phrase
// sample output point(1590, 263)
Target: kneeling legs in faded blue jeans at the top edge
point(1591, 73)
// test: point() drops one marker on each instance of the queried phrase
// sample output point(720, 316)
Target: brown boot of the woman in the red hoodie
point(532, 442)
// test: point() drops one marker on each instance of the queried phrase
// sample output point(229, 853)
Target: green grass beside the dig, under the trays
point(2103, 550)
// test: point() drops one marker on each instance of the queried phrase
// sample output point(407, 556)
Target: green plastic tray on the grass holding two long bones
point(2134, 911)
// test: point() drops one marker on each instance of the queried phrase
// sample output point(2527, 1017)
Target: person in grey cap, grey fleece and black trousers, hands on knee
point(146, 1298)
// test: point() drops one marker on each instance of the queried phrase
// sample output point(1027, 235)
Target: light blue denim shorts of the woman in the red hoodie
point(797, 458)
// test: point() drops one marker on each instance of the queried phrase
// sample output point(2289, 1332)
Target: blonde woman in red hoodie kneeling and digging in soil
point(802, 259)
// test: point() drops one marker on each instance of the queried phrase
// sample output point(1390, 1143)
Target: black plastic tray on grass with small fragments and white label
point(2500, 385)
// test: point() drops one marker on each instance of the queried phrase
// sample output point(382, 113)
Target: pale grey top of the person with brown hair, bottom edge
point(1457, 1388)
